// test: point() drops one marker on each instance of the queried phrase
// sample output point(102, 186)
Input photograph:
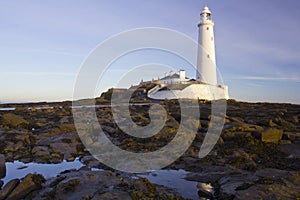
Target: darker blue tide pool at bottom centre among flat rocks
point(174, 179)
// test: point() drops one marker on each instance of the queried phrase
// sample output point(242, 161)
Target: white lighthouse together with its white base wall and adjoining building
point(206, 85)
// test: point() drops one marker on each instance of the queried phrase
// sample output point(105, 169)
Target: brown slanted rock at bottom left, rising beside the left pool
point(30, 183)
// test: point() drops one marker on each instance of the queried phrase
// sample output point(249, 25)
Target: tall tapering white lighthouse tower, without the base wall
point(206, 61)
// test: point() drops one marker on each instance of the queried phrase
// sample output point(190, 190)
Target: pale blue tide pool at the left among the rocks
point(18, 169)
